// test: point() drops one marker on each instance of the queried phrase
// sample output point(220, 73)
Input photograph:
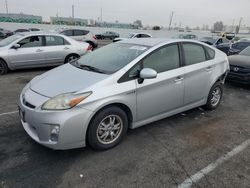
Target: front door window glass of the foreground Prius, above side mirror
point(162, 60)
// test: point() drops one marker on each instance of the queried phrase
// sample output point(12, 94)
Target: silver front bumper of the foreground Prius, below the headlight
point(39, 123)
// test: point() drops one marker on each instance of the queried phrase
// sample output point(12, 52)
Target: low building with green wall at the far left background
point(20, 18)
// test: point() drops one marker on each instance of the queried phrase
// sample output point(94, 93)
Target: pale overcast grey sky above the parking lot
point(152, 12)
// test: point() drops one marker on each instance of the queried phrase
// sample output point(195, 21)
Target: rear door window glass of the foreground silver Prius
point(193, 53)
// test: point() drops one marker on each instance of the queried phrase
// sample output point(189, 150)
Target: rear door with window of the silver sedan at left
point(56, 49)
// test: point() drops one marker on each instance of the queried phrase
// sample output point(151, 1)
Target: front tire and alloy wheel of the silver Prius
point(107, 128)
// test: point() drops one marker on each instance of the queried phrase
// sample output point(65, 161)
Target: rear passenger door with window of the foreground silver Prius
point(198, 73)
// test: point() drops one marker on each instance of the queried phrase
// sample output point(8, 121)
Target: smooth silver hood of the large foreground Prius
point(64, 79)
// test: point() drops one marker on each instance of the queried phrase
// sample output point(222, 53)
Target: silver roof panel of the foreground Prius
point(154, 41)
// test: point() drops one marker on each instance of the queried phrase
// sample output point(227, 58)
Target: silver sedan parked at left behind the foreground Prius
point(29, 50)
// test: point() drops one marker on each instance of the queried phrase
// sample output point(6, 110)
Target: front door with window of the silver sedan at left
point(30, 53)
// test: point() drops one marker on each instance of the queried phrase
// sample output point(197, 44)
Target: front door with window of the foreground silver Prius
point(164, 93)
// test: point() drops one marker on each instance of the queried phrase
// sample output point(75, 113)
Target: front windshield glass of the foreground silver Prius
point(113, 57)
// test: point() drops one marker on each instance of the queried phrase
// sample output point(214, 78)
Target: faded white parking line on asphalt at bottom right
point(199, 175)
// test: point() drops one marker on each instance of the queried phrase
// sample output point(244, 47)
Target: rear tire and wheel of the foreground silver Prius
point(214, 97)
